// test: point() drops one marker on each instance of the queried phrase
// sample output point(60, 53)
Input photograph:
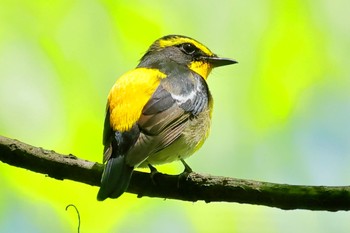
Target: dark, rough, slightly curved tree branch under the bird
point(187, 187)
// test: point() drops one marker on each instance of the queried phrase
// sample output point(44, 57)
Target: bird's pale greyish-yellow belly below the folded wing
point(191, 139)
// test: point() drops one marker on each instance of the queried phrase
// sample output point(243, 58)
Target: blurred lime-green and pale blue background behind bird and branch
point(281, 115)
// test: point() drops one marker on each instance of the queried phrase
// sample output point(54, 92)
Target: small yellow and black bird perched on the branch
point(158, 112)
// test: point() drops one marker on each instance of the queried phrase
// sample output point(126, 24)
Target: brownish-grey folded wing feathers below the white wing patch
point(161, 122)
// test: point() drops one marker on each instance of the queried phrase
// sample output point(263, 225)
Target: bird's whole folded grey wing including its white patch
point(163, 120)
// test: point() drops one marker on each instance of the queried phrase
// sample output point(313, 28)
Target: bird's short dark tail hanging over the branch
point(115, 178)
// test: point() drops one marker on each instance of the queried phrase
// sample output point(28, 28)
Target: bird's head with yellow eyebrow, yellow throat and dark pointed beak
point(185, 51)
